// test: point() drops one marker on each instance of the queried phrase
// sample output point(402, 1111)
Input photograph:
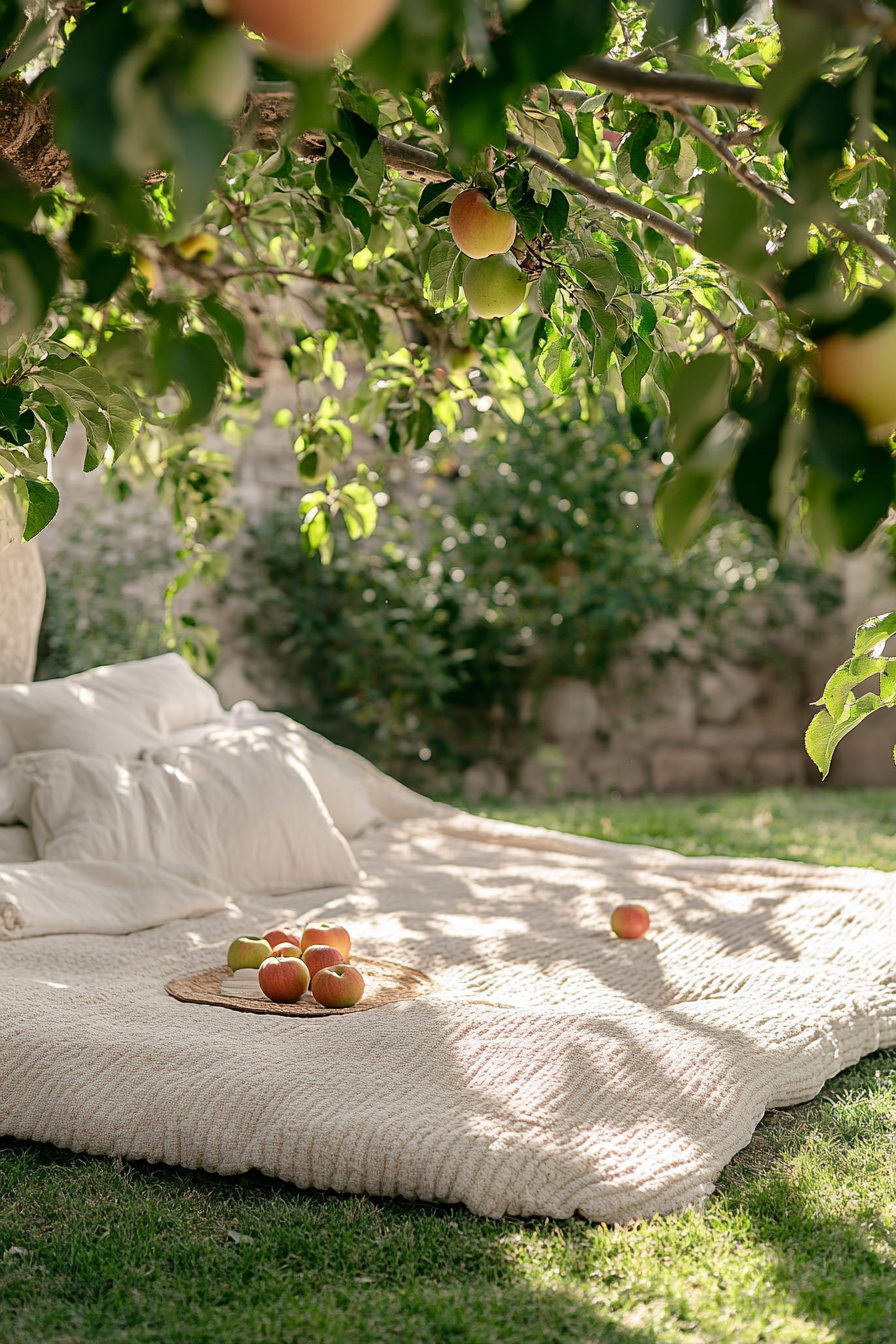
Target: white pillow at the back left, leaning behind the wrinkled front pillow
point(107, 712)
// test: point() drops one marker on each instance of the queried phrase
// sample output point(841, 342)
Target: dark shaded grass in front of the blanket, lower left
point(131, 1252)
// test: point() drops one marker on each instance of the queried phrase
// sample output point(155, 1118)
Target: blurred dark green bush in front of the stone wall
point(486, 579)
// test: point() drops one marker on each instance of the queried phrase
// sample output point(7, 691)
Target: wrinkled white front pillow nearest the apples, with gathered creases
point(241, 811)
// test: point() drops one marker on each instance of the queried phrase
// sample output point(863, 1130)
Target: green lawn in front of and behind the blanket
point(799, 1244)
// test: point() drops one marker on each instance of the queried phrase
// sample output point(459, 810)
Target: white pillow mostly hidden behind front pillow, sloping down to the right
point(357, 795)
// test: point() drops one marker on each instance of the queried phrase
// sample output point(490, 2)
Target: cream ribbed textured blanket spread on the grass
point(555, 1070)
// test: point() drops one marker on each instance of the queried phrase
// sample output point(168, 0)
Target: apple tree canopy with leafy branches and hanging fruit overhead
point(692, 204)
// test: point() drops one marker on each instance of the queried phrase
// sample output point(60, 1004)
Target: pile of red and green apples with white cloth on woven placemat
point(285, 966)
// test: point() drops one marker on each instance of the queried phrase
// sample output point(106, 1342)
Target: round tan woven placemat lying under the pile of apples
point(385, 983)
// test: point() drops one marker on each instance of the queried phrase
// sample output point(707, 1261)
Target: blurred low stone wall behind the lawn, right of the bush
point(680, 714)
